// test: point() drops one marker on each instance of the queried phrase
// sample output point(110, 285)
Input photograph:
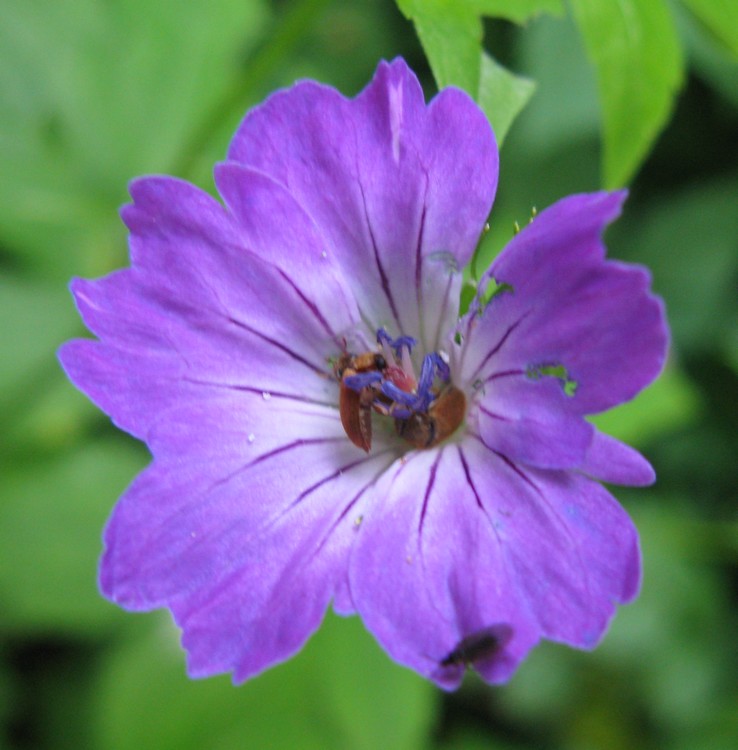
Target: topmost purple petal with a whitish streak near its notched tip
point(399, 207)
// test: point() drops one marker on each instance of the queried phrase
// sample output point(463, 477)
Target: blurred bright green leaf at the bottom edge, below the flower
point(341, 691)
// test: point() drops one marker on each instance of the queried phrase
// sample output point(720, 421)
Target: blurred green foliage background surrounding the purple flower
point(95, 92)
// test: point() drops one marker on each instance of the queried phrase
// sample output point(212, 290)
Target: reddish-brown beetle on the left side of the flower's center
point(355, 406)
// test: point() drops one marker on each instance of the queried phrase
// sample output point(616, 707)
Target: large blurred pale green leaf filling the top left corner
point(92, 93)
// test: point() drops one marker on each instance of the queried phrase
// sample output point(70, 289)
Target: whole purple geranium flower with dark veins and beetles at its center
point(324, 427)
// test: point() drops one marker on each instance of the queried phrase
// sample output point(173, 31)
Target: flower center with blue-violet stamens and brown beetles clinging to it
point(426, 410)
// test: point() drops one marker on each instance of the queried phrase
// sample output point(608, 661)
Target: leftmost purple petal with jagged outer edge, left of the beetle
point(199, 312)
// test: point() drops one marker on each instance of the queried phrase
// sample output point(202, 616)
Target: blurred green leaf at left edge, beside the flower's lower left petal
point(51, 517)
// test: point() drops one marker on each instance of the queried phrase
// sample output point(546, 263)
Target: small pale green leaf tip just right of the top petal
point(502, 95)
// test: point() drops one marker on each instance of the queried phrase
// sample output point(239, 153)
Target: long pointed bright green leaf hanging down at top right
point(636, 52)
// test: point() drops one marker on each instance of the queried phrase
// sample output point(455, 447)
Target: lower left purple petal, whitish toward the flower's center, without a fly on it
point(246, 556)
